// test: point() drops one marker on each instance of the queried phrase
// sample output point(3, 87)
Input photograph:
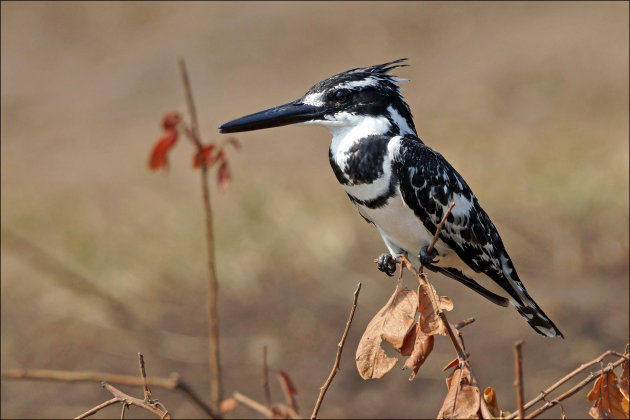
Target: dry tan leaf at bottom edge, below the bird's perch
point(463, 399)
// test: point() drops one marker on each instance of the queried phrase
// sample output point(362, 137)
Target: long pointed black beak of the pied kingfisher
point(291, 113)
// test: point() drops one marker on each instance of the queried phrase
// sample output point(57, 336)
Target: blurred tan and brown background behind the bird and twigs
point(529, 101)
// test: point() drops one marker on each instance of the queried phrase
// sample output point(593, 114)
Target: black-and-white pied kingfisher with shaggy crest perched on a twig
point(402, 186)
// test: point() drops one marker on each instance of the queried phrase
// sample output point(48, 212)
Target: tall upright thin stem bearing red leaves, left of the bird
point(215, 367)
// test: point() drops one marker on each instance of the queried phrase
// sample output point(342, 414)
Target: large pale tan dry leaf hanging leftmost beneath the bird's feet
point(391, 324)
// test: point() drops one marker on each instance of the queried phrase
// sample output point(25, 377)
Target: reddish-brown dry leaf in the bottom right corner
point(608, 402)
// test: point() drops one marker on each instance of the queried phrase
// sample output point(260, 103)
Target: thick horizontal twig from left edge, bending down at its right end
point(174, 383)
